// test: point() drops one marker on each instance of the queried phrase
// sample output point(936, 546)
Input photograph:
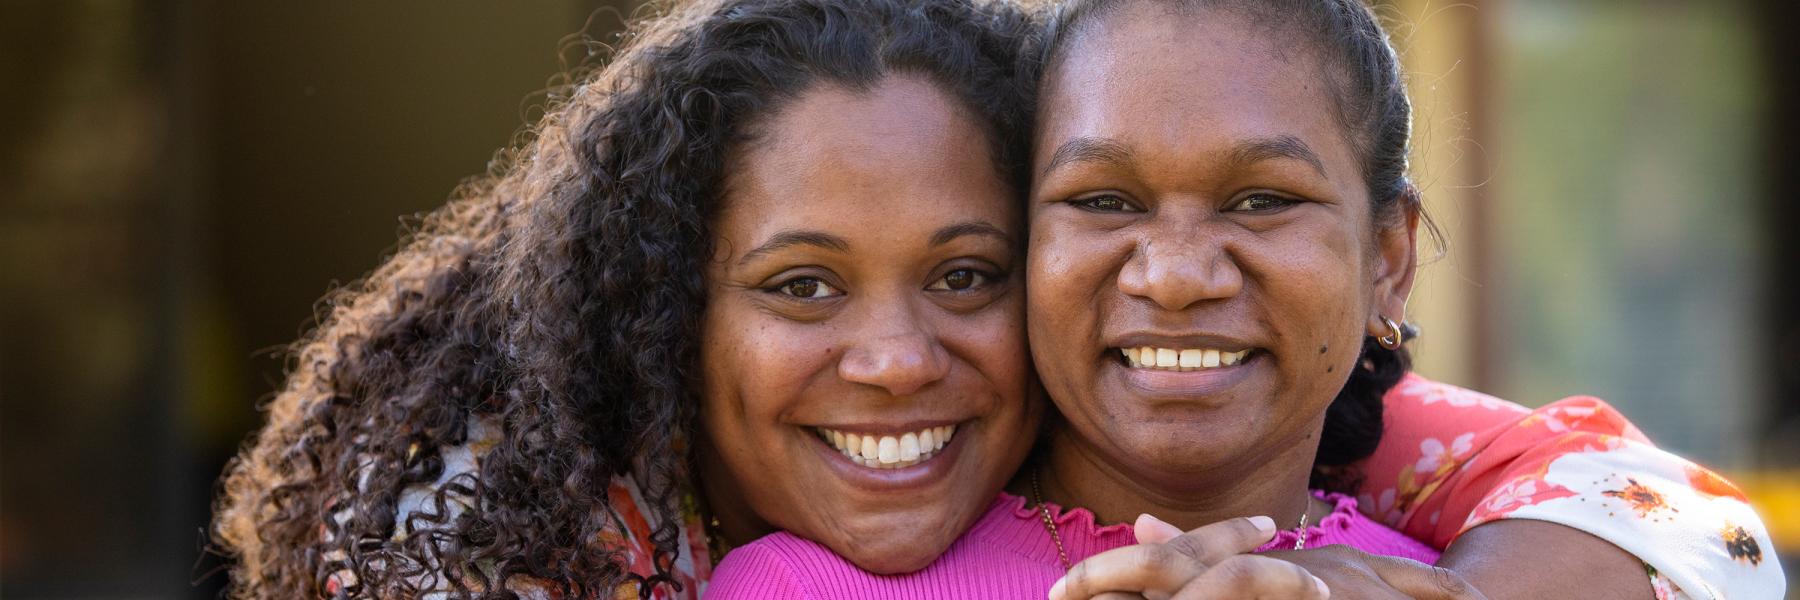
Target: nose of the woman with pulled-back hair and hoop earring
point(1178, 269)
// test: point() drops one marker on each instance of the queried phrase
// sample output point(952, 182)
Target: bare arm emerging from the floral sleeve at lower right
point(1538, 559)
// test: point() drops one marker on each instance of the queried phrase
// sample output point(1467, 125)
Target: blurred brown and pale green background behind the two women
point(181, 181)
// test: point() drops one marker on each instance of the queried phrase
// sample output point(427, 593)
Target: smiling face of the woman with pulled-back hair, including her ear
point(1203, 255)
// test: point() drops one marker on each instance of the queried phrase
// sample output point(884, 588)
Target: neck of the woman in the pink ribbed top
point(1075, 475)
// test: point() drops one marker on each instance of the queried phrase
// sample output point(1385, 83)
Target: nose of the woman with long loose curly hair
point(901, 361)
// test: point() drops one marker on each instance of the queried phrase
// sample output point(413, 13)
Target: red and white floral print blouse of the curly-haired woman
point(1448, 462)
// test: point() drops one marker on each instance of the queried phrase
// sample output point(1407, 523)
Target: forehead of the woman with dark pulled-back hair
point(1189, 84)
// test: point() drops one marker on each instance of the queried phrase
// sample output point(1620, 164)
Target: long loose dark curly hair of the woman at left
point(561, 298)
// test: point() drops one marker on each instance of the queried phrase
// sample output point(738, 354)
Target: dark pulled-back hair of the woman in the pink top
point(1369, 87)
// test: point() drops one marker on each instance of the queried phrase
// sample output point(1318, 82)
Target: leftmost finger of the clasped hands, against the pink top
point(1142, 568)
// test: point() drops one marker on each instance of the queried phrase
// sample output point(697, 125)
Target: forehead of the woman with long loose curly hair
point(899, 154)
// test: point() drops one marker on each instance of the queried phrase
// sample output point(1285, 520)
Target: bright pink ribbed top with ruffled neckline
point(1005, 556)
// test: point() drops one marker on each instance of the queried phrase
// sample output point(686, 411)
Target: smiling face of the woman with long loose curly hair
point(867, 377)
